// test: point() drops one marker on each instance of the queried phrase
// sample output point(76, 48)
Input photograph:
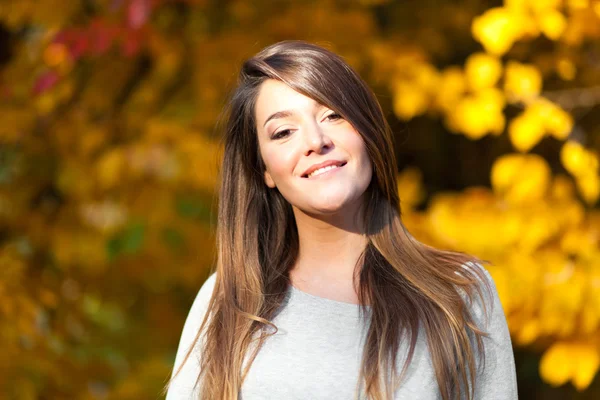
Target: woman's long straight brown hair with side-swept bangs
point(406, 283)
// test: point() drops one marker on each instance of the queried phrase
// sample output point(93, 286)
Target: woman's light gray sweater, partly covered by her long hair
point(317, 350)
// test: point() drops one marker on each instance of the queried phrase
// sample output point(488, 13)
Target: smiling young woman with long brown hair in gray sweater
point(319, 290)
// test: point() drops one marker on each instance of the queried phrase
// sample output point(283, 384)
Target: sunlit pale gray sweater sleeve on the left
point(184, 387)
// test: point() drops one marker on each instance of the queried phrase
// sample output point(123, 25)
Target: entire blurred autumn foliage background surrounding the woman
point(109, 157)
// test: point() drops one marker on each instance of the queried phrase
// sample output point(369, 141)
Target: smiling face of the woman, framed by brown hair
point(316, 159)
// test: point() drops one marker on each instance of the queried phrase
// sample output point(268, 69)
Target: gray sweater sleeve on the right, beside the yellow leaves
point(497, 380)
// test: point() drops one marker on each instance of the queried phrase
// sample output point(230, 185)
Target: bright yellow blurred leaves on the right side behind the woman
point(541, 233)
